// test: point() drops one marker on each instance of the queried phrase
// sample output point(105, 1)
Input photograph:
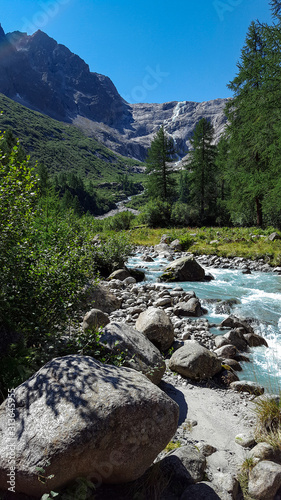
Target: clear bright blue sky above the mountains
point(153, 50)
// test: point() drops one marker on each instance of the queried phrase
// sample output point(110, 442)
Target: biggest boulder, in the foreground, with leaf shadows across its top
point(79, 418)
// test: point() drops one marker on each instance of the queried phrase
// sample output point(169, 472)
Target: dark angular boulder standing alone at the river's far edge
point(184, 269)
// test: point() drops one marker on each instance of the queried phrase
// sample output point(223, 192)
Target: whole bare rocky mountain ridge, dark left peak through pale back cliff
point(41, 74)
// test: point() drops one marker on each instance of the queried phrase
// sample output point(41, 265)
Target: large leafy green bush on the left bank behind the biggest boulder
point(46, 257)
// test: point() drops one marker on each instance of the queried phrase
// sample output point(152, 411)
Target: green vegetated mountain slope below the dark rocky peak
point(64, 148)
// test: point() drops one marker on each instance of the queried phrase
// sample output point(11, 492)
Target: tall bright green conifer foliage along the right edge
point(253, 164)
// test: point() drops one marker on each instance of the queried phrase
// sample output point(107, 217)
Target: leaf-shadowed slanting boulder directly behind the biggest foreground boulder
point(140, 354)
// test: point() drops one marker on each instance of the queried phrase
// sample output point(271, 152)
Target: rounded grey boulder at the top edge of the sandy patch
point(195, 361)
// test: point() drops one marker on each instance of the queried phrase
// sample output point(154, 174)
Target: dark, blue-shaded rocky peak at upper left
point(38, 72)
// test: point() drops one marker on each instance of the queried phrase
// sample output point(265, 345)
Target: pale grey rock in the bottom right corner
point(264, 480)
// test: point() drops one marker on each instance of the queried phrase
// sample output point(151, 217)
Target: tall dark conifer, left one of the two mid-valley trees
point(160, 182)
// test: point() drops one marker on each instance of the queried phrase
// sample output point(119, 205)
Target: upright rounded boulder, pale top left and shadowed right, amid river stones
point(157, 327)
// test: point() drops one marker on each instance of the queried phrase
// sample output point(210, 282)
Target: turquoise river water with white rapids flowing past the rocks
point(256, 296)
